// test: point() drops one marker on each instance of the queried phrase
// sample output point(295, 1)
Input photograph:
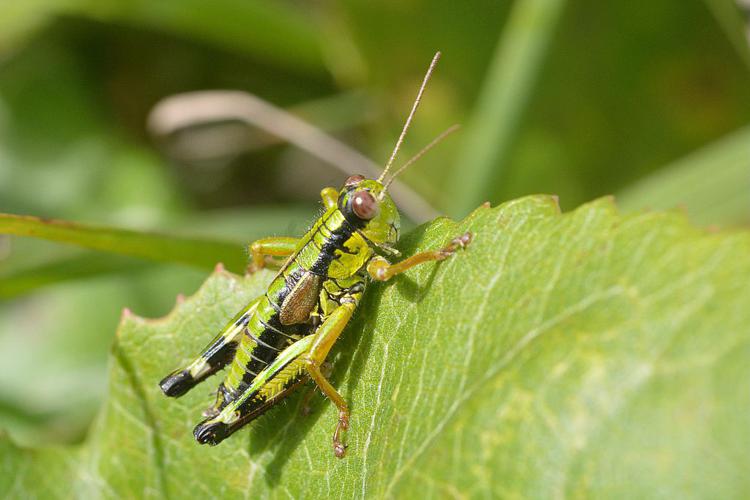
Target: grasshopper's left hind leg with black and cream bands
point(213, 358)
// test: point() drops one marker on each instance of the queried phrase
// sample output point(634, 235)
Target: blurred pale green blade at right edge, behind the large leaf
point(713, 183)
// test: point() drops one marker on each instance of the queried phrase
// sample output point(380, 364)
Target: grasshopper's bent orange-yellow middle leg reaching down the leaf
point(325, 337)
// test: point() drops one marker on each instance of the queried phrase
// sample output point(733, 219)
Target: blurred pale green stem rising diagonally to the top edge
point(506, 90)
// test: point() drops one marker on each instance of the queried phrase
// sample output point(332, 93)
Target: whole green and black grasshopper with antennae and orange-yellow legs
point(282, 338)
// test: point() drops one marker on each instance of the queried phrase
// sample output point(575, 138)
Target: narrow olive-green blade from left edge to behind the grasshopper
point(204, 253)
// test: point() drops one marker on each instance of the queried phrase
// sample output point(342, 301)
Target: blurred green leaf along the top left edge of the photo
point(273, 32)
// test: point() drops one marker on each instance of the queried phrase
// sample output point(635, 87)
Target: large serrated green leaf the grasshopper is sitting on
point(586, 354)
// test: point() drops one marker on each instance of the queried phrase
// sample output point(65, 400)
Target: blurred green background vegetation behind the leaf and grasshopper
point(648, 100)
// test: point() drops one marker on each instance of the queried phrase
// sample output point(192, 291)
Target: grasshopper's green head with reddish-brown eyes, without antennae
point(366, 204)
